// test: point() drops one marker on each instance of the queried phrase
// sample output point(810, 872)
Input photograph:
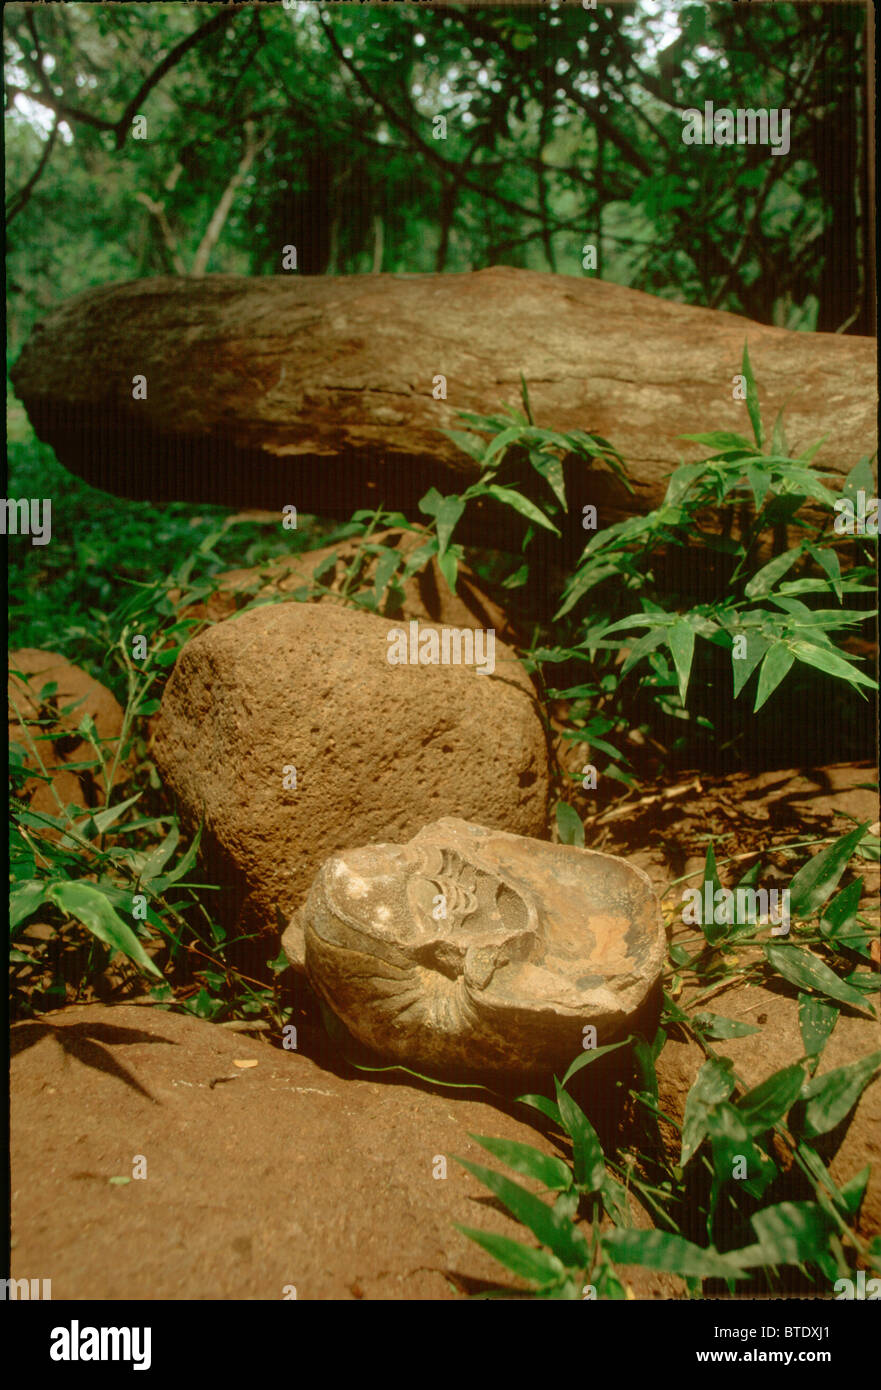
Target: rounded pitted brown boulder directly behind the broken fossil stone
point(288, 729)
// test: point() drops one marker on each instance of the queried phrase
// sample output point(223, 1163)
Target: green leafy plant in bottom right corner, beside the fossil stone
point(732, 1138)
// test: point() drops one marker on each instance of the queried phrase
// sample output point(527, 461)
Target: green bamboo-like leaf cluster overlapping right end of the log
point(761, 618)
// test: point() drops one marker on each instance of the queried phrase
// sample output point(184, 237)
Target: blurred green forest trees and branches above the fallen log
point(563, 129)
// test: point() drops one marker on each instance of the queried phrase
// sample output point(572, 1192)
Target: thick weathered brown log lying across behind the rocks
point(319, 391)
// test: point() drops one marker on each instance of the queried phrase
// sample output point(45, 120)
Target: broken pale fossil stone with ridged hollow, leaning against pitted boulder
point(476, 950)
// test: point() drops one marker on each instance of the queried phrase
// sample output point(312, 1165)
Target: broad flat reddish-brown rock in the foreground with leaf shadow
point(160, 1157)
